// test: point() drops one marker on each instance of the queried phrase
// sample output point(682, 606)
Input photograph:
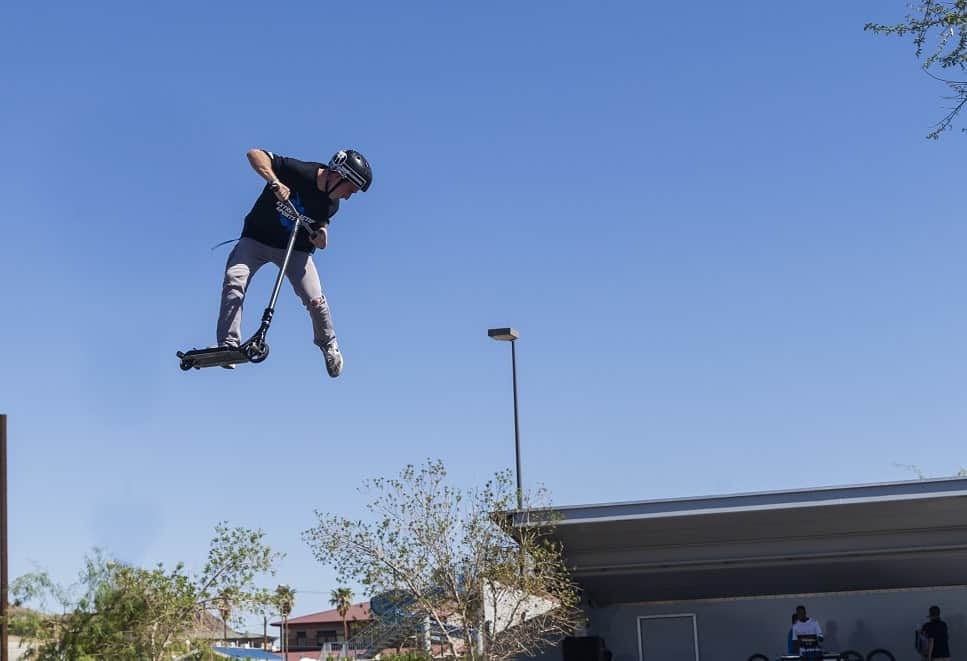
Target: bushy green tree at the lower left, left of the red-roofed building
point(126, 612)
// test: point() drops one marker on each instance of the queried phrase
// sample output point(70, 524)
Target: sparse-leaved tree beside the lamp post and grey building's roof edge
point(461, 565)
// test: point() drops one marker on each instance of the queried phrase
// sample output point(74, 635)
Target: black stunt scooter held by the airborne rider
point(255, 349)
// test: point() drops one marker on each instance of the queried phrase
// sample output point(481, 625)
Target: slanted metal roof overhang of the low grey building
point(881, 536)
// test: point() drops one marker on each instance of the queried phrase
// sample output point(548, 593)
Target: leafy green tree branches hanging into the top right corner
point(939, 34)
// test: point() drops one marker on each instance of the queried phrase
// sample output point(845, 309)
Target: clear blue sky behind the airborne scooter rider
point(735, 262)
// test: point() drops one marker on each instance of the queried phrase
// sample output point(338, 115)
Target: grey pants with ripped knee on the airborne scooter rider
point(246, 258)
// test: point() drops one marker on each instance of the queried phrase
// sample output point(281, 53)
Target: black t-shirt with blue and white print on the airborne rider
point(266, 224)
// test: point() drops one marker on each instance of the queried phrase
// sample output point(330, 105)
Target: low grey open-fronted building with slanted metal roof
point(717, 578)
